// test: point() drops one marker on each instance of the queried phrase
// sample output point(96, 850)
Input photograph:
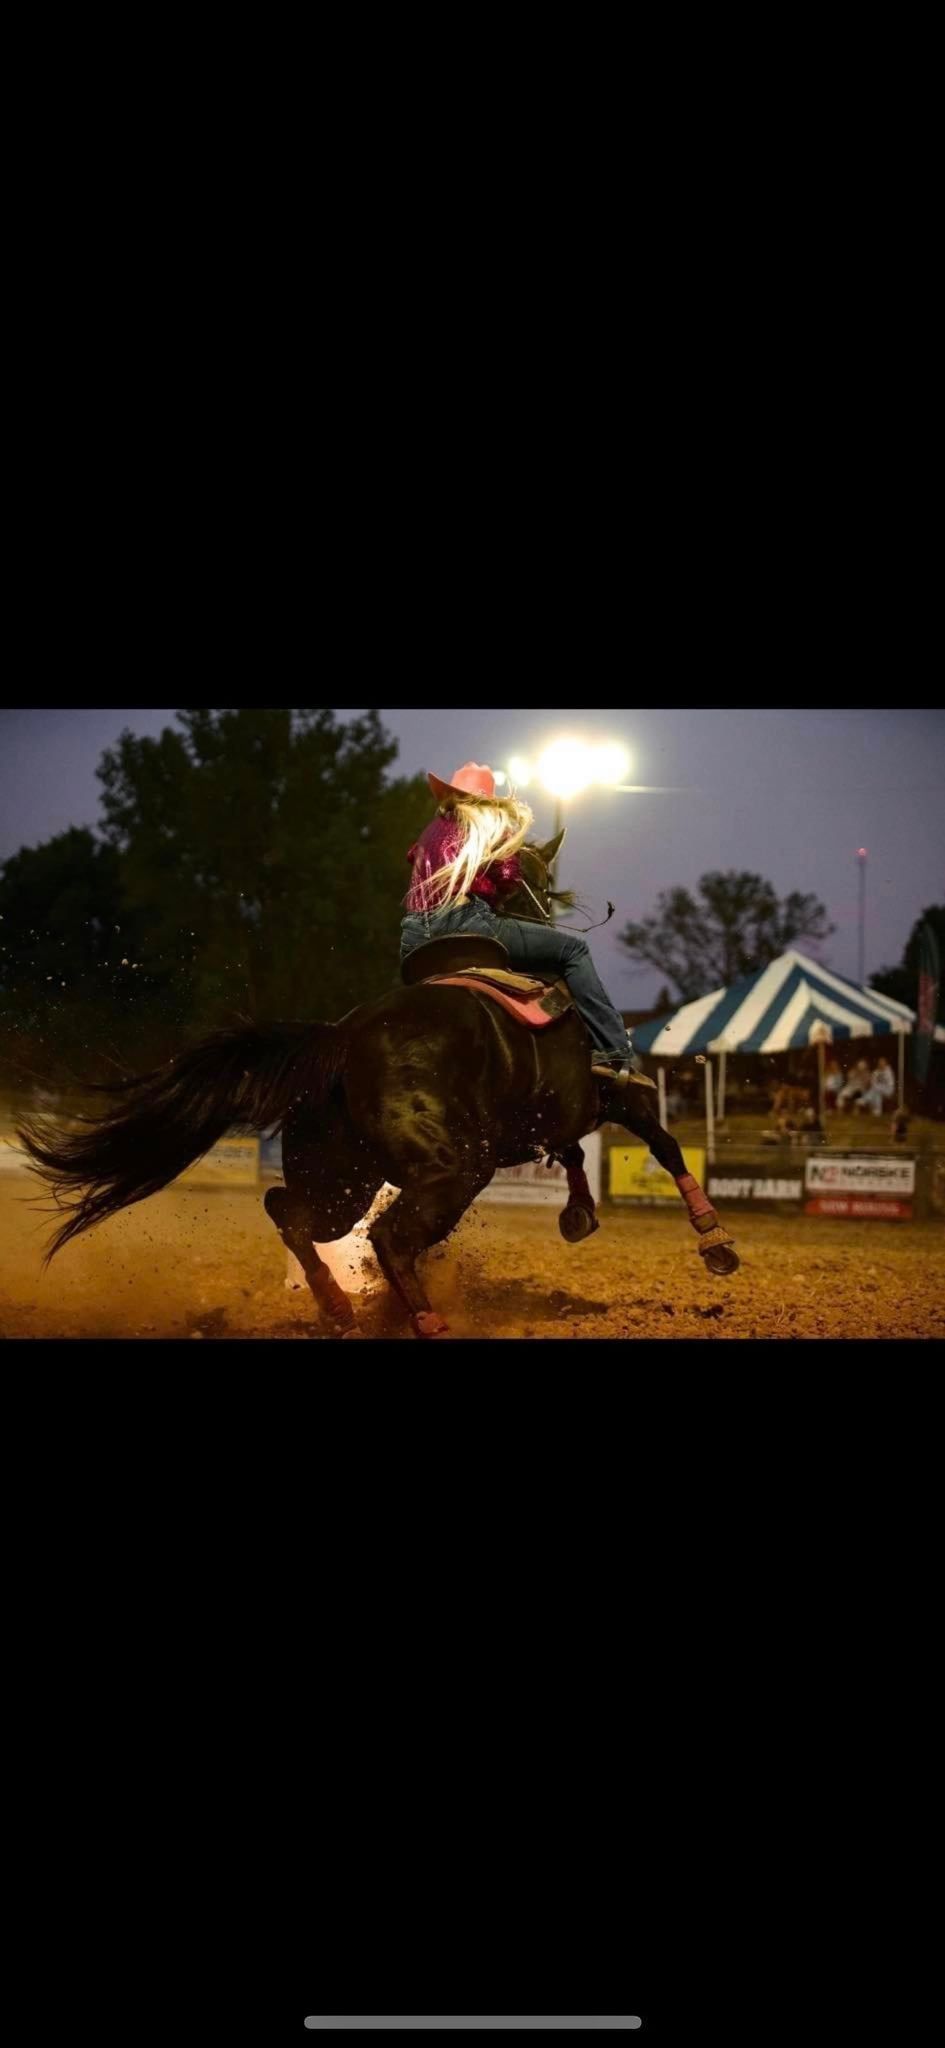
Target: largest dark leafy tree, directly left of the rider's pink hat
point(268, 857)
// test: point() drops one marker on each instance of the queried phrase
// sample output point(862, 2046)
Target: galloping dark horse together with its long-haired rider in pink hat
point(429, 1089)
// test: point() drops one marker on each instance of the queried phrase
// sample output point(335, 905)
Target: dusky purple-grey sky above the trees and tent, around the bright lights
point(786, 794)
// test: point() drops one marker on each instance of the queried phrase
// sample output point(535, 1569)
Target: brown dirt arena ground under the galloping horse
point(208, 1265)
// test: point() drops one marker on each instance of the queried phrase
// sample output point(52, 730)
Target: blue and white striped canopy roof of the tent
point(782, 1007)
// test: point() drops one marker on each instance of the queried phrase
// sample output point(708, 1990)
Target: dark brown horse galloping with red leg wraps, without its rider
point(429, 1089)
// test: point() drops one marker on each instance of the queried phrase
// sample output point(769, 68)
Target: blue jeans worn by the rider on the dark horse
point(536, 949)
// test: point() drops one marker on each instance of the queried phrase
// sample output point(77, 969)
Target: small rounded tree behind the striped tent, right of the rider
point(735, 927)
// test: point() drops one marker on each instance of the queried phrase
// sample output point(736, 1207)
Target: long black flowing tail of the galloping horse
point(169, 1119)
